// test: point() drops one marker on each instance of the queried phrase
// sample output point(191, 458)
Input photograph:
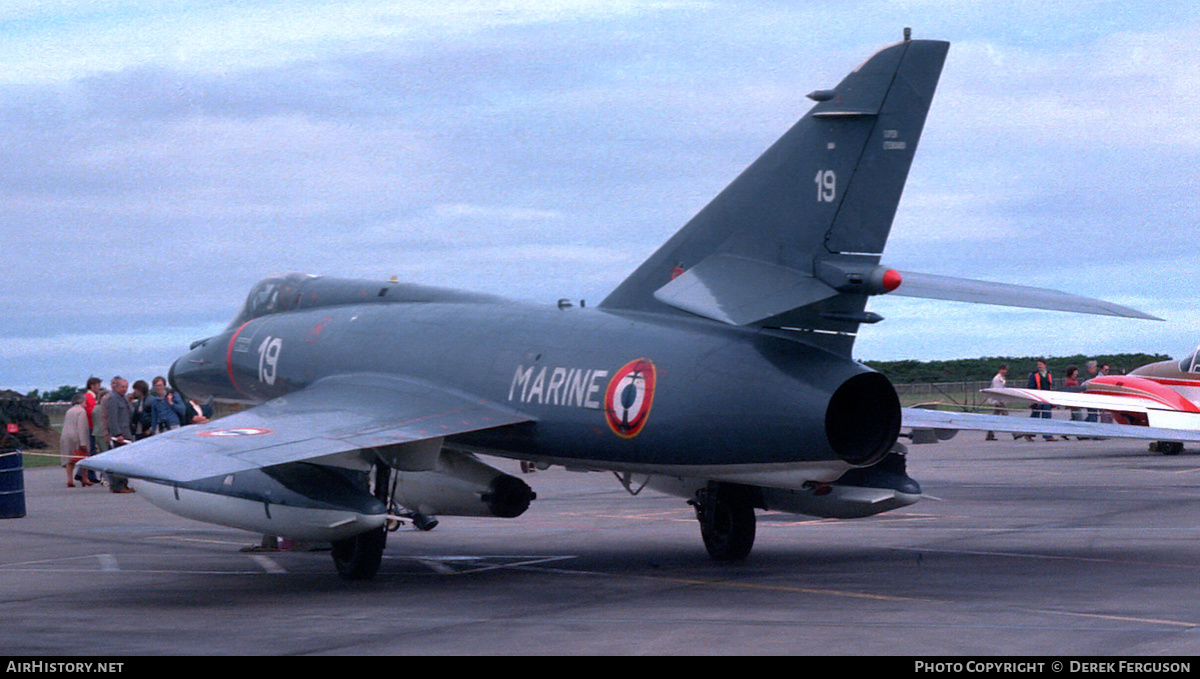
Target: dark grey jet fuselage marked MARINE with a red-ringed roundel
point(626, 389)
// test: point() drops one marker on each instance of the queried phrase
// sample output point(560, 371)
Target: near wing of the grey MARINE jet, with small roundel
point(333, 417)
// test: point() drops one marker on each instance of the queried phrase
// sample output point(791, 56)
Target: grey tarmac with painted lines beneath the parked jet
point(1079, 549)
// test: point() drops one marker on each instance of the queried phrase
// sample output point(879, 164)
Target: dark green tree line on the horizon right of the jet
point(1019, 368)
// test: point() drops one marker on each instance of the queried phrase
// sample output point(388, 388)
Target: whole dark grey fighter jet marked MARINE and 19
point(721, 371)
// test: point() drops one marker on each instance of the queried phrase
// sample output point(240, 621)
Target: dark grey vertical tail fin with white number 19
point(777, 247)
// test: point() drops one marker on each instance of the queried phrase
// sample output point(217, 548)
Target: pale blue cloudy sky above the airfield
point(159, 158)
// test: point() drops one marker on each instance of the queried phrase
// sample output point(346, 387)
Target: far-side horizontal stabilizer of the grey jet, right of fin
point(929, 286)
